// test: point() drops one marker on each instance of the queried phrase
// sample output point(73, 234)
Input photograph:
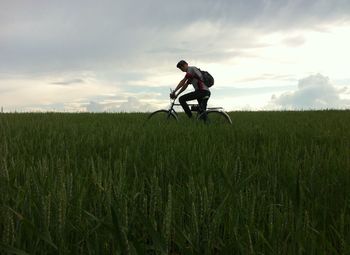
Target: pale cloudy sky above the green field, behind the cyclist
point(121, 55)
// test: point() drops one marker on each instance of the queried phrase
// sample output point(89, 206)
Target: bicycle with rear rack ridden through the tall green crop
point(215, 115)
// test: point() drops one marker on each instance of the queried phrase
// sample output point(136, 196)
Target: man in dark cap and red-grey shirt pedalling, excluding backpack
point(193, 76)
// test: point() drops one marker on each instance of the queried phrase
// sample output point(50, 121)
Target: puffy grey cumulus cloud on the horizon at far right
point(313, 92)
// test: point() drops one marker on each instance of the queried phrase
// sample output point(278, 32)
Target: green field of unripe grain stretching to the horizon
point(271, 183)
